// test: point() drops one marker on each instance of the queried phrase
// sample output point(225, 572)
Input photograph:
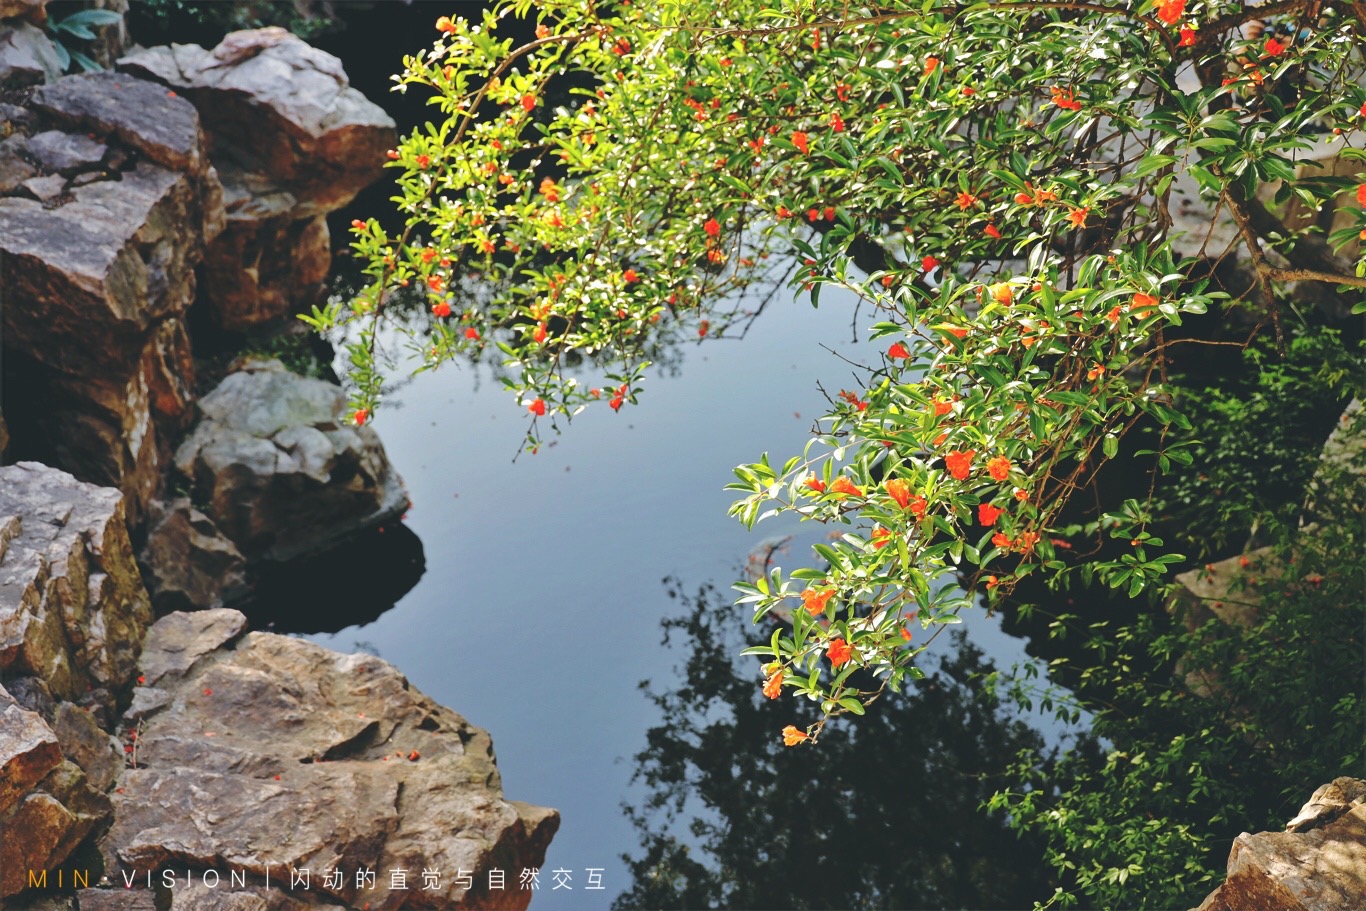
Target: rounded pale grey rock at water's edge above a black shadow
point(278, 468)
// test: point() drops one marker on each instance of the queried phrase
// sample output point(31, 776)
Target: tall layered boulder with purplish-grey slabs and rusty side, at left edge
point(104, 244)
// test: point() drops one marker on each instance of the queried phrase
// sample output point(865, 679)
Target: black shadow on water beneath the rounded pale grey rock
point(345, 588)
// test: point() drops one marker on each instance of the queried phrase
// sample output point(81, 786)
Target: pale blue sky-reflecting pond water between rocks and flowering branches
point(539, 613)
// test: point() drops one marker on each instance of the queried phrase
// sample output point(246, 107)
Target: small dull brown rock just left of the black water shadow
point(188, 563)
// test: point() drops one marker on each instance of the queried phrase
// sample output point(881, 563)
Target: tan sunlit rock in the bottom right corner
point(1320, 869)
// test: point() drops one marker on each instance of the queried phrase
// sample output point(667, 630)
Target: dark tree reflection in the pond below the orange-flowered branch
point(883, 813)
